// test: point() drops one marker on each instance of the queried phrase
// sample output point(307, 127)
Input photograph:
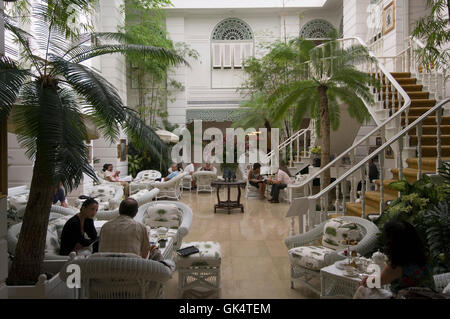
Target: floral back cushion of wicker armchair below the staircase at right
point(338, 234)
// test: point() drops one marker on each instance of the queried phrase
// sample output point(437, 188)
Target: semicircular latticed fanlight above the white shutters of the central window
point(232, 29)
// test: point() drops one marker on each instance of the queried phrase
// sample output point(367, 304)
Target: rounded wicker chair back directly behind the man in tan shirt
point(119, 276)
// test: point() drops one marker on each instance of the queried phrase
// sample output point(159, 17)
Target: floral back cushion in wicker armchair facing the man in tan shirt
point(162, 215)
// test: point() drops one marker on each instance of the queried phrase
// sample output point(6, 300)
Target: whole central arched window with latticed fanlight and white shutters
point(232, 43)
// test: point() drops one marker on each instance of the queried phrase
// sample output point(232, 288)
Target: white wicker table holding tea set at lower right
point(334, 284)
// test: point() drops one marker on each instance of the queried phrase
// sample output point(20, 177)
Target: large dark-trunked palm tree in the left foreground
point(47, 101)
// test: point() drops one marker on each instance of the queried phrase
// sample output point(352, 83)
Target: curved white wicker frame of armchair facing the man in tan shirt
point(184, 225)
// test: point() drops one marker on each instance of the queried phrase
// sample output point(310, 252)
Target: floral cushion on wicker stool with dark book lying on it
point(209, 255)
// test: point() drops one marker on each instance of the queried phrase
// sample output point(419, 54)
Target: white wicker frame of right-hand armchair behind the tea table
point(364, 246)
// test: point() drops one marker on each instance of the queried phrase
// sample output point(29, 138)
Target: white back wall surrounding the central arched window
point(208, 90)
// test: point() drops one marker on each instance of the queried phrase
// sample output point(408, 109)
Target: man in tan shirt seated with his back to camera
point(125, 235)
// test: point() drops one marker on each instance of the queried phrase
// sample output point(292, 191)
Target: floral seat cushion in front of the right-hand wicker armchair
point(310, 257)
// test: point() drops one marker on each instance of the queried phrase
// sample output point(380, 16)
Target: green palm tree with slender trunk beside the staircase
point(328, 79)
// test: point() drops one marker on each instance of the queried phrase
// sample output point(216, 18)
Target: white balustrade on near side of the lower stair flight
point(314, 217)
